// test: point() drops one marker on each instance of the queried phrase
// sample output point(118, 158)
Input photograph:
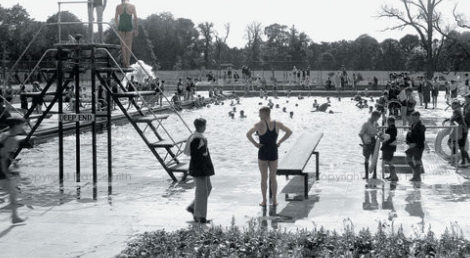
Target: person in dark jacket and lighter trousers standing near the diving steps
point(201, 169)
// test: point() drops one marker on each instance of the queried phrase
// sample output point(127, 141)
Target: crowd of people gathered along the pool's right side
point(398, 101)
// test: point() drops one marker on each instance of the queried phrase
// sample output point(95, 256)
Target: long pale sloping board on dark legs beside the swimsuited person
point(297, 158)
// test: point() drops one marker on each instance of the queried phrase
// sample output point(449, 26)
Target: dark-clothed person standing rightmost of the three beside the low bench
point(415, 140)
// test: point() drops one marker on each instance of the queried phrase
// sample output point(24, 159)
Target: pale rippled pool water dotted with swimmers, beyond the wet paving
point(233, 155)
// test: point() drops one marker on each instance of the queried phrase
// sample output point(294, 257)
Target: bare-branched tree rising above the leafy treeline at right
point(424, 17)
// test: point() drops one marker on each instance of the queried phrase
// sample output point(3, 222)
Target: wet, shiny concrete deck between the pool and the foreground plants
point(71, 223)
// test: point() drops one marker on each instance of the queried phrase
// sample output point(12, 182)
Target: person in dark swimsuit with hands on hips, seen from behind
point(268, 131)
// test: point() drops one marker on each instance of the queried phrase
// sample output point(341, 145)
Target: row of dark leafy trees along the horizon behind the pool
point(179, 43)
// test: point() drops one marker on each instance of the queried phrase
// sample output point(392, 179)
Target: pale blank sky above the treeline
point(322, 20)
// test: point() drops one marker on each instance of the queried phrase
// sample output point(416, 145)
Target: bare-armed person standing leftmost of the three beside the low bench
point(367, 134)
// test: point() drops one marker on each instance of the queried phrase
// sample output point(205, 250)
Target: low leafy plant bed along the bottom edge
point(257, 241)
